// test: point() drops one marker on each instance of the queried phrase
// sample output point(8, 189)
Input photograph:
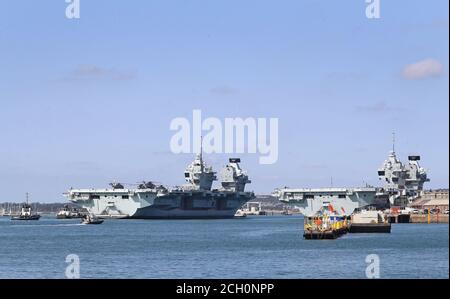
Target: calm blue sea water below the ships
point(253, 247)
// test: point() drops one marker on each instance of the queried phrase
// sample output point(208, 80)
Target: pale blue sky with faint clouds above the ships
point(87, 101)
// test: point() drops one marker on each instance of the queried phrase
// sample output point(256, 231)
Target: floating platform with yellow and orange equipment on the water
point(324, 227)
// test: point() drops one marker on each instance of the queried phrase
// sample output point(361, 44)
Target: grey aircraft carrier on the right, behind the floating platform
point(403, 183)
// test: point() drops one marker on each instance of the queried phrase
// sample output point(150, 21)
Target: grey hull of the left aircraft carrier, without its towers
point(172, 205)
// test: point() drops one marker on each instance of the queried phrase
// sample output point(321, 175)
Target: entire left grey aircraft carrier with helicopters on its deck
point(196, 199)
